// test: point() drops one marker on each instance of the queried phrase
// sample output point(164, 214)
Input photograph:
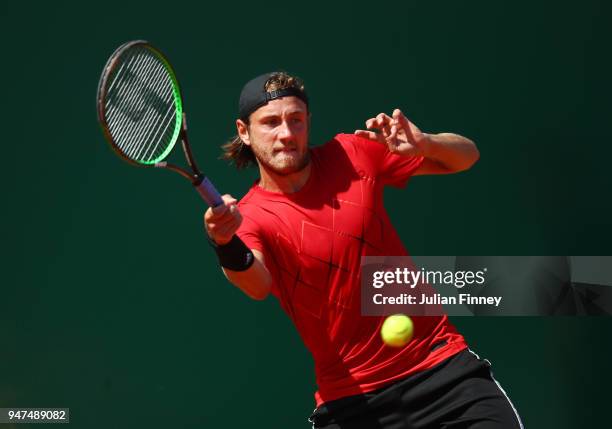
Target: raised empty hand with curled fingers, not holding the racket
point(396, 132)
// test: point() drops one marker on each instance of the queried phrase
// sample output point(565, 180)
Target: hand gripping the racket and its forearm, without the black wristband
point(221, 224)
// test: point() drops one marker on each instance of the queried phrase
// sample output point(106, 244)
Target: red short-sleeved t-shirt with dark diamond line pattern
point(313, 240)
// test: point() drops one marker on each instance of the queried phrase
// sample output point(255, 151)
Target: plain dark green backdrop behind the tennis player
point(111, 303)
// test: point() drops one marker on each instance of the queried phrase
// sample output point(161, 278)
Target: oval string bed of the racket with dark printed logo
point(140, 107)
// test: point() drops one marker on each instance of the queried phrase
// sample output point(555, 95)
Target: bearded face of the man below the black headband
point(278, 135)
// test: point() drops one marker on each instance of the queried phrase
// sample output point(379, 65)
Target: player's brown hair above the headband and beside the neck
point(235, 150)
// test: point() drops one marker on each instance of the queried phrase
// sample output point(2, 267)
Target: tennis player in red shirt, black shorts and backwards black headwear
point(299, 233)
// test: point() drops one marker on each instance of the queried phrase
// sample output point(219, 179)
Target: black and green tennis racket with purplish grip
point(141, 113)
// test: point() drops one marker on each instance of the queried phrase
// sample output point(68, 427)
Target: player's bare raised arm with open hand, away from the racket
point(444, 153)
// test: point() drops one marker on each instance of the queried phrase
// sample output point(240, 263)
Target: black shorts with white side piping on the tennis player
point(459, 392)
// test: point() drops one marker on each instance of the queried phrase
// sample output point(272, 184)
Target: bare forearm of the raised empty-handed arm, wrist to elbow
point(452, 151)
